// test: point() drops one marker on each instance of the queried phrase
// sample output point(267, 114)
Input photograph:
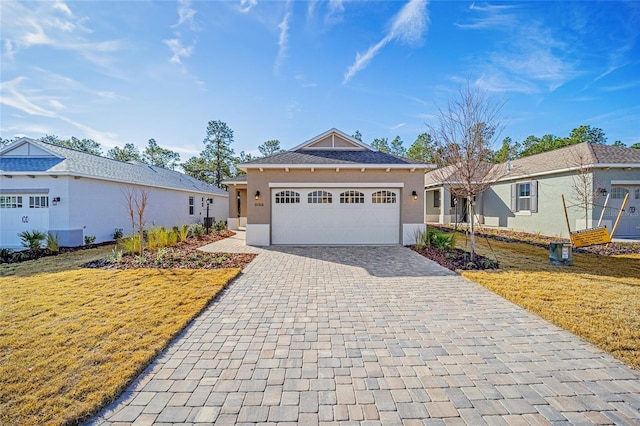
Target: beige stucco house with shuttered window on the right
point(528, 195)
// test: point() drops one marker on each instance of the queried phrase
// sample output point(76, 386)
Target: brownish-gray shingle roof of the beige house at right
point(569, 157)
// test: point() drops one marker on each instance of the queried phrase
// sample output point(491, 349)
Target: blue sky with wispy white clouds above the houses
point(121, 72)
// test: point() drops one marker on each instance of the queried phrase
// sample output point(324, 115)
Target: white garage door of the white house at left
point(22, 212)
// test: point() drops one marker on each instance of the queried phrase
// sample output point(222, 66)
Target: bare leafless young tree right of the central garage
point(464, 134)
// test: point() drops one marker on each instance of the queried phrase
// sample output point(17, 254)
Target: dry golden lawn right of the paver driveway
point(598, 298)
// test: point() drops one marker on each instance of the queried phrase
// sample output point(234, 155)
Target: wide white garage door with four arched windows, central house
point(335, 216)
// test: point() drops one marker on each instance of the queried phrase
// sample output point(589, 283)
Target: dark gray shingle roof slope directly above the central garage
point(311, 157)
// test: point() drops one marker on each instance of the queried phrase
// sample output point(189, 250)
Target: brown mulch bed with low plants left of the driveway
point(185, 255)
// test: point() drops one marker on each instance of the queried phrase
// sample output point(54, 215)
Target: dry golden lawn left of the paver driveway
point(71, 338)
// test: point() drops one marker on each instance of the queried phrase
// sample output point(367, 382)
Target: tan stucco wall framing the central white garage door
point(259, 211)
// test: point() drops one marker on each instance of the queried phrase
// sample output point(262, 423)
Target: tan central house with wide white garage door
point(332, 189)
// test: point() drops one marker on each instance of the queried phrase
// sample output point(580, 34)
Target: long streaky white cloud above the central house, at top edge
point(408, 26)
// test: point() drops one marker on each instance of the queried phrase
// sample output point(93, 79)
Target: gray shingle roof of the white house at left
point(78, 163)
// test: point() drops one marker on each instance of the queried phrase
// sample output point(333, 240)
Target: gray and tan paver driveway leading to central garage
point(373, 335)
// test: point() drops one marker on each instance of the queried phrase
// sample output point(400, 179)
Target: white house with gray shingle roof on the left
point(74, 194)
